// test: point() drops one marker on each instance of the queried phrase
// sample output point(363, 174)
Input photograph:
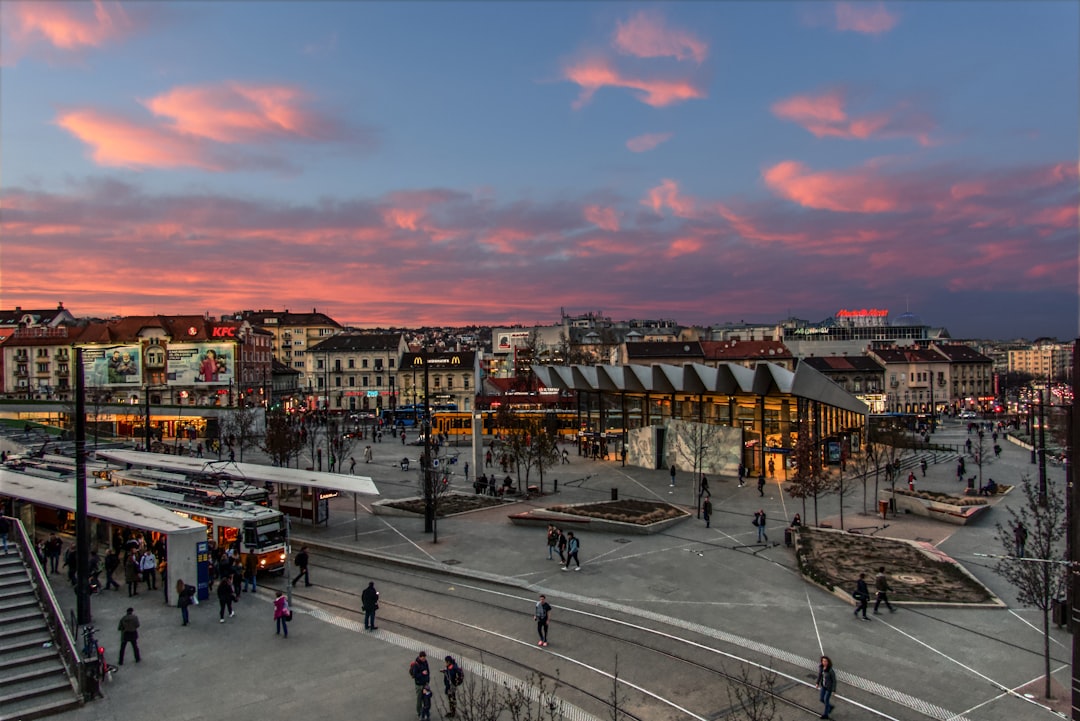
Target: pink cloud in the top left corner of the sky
point(67, 26)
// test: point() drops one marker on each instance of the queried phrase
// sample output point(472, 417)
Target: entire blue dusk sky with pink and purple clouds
point(448, 164)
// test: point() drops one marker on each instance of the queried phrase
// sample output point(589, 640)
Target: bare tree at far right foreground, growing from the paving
point(1039, 576)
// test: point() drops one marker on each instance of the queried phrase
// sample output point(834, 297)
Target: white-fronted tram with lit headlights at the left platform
point(256, 529)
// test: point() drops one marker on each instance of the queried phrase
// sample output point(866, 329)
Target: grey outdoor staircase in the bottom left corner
point(34, 681)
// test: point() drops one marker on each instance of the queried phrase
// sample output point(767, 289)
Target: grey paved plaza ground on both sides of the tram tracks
point(717, 579)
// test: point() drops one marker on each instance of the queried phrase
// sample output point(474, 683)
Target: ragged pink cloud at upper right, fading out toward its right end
point(825, 116)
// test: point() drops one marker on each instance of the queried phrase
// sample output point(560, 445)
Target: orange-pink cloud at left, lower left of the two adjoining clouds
point(120, 143)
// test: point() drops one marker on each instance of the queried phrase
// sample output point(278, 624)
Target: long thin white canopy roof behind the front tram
point(253, 473)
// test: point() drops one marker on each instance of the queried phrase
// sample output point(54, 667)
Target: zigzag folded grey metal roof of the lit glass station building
point(726, 379)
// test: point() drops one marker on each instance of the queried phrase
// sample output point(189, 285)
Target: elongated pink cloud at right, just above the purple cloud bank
point(859, 192)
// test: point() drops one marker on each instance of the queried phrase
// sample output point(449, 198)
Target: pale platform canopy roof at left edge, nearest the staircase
point(105, 505)
